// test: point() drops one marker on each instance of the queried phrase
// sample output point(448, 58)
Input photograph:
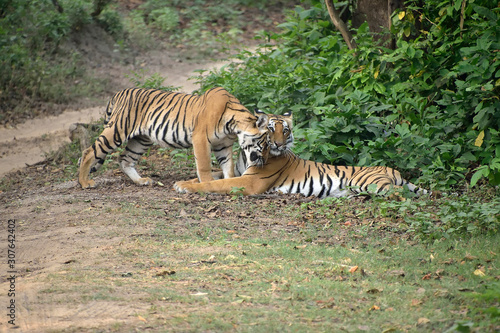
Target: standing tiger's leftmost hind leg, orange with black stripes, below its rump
point(93, 157)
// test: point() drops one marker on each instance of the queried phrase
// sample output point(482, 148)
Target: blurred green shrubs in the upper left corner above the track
point(32, 66)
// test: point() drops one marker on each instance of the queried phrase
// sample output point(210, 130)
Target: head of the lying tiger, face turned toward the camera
point(279, 128)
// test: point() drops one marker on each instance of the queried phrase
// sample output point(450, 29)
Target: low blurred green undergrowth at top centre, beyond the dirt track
point(195, 24)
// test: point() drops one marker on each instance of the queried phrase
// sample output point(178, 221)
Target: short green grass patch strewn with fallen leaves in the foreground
point(286, 286)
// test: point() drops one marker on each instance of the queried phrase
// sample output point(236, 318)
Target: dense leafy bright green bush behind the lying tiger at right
point(429, 107)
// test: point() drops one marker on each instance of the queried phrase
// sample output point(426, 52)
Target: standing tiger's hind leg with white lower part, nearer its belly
point(133, 151)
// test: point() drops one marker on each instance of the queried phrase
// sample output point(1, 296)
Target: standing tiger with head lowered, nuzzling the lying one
point(212, 121)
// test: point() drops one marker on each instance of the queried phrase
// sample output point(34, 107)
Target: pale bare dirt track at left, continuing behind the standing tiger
point(57, 227)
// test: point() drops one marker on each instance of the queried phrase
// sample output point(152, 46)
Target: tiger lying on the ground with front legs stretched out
point(285, 172)
